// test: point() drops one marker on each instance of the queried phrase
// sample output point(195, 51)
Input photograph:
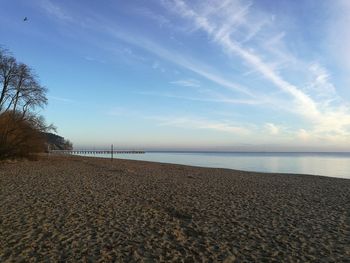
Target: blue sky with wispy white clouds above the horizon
point(226, 75)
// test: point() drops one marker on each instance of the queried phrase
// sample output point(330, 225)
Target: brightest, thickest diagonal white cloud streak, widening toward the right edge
point(324, 119)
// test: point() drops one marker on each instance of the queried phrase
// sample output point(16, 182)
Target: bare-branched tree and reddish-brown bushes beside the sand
point(22, 129)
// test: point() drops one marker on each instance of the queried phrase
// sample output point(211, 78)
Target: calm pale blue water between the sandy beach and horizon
point(327, 164)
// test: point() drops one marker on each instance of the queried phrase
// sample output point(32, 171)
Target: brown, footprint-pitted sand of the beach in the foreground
point(87, 209)
